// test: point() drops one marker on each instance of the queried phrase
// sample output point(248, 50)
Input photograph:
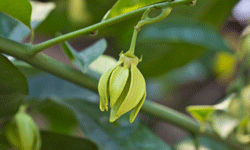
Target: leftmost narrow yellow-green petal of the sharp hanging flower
point(103, 88)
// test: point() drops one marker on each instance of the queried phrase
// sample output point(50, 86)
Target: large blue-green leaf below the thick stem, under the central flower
point(94, 123)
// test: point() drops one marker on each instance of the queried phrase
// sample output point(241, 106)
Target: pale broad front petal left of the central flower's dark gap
point(117, 83)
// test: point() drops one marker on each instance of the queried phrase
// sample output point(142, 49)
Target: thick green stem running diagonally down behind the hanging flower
point(63, 71)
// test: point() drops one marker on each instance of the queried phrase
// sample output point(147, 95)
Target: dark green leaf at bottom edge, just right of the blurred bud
point(52, 141)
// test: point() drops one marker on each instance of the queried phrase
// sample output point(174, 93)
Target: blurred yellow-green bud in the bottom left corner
point(22, 132)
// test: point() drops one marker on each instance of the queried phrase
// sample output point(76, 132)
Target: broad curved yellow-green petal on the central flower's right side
point(136, 91)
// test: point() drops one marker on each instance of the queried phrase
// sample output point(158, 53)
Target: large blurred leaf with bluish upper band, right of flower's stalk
point(173, 43)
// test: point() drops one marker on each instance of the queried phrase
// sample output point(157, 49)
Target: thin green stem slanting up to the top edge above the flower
point(40, 47)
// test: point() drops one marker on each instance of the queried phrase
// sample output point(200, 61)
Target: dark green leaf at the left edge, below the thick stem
point(13, 87)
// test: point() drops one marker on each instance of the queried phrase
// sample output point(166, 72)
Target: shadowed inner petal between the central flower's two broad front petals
point(117, 105)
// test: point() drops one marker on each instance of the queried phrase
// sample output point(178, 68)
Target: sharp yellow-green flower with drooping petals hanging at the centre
point(124, 86)
